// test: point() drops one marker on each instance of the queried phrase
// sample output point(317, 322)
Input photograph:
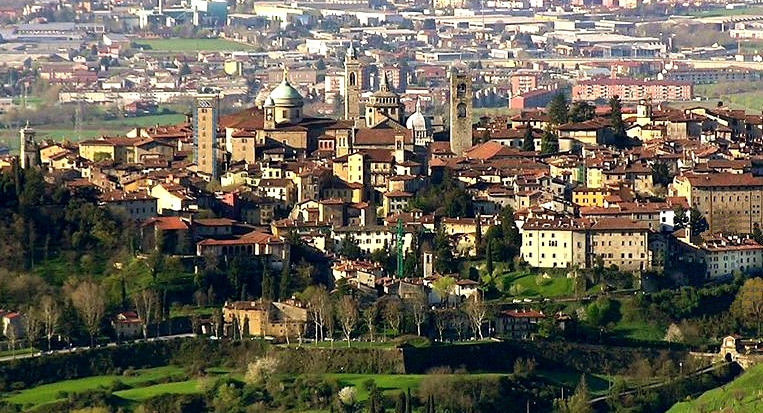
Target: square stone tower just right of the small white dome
point(460, 112)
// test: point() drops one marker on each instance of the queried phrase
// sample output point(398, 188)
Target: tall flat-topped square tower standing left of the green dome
point(205, 134)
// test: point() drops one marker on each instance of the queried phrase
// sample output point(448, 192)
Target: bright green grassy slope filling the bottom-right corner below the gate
point(743, 395)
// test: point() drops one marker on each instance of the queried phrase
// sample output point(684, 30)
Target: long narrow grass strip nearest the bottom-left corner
point(50, 392)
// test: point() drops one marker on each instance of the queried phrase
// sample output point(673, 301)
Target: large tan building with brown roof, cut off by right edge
point(731, 203)
